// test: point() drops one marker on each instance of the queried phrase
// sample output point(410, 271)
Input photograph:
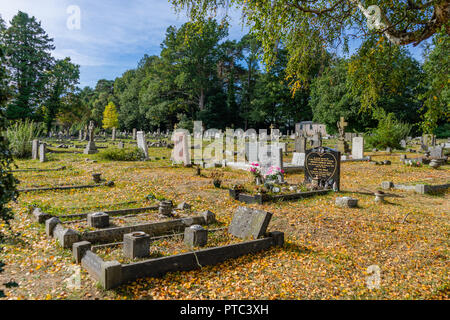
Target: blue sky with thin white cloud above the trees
point(114, 34)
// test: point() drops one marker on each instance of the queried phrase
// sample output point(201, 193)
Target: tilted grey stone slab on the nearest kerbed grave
point(249, 223)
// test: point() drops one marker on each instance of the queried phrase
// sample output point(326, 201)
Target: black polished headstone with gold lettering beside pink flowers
point(323, 165)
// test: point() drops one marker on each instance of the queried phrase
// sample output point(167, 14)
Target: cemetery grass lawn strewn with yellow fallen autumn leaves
point(327, 248)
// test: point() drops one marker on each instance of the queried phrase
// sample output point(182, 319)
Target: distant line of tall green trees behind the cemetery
point(199, 75)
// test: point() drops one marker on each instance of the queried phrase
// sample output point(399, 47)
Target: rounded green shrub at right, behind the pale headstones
point(388, 133)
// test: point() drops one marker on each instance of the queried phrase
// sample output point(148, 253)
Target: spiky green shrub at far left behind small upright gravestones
point(20, 135)
